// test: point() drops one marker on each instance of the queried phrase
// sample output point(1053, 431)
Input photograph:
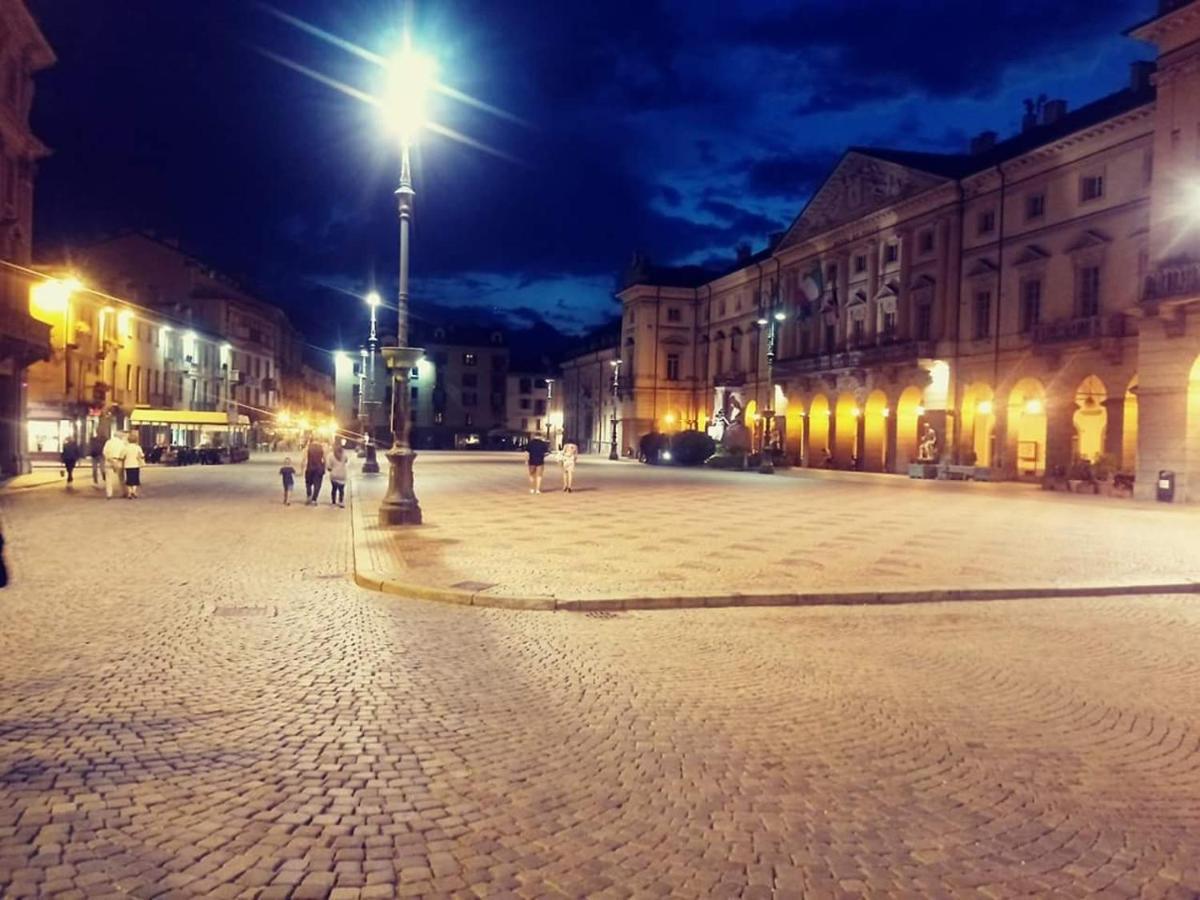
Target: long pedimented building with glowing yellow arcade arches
point(1031, 305)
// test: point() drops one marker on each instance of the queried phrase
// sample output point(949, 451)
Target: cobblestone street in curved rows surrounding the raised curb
point(197, 703)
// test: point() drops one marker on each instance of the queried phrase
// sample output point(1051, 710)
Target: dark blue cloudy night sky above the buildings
point(677, 128)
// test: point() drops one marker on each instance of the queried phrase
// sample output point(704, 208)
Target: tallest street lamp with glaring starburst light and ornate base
point(410, 77)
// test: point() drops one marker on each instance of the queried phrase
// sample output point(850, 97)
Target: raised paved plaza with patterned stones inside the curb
point(633, 531)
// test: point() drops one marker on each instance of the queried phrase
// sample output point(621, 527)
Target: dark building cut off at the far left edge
point(23, 339)
